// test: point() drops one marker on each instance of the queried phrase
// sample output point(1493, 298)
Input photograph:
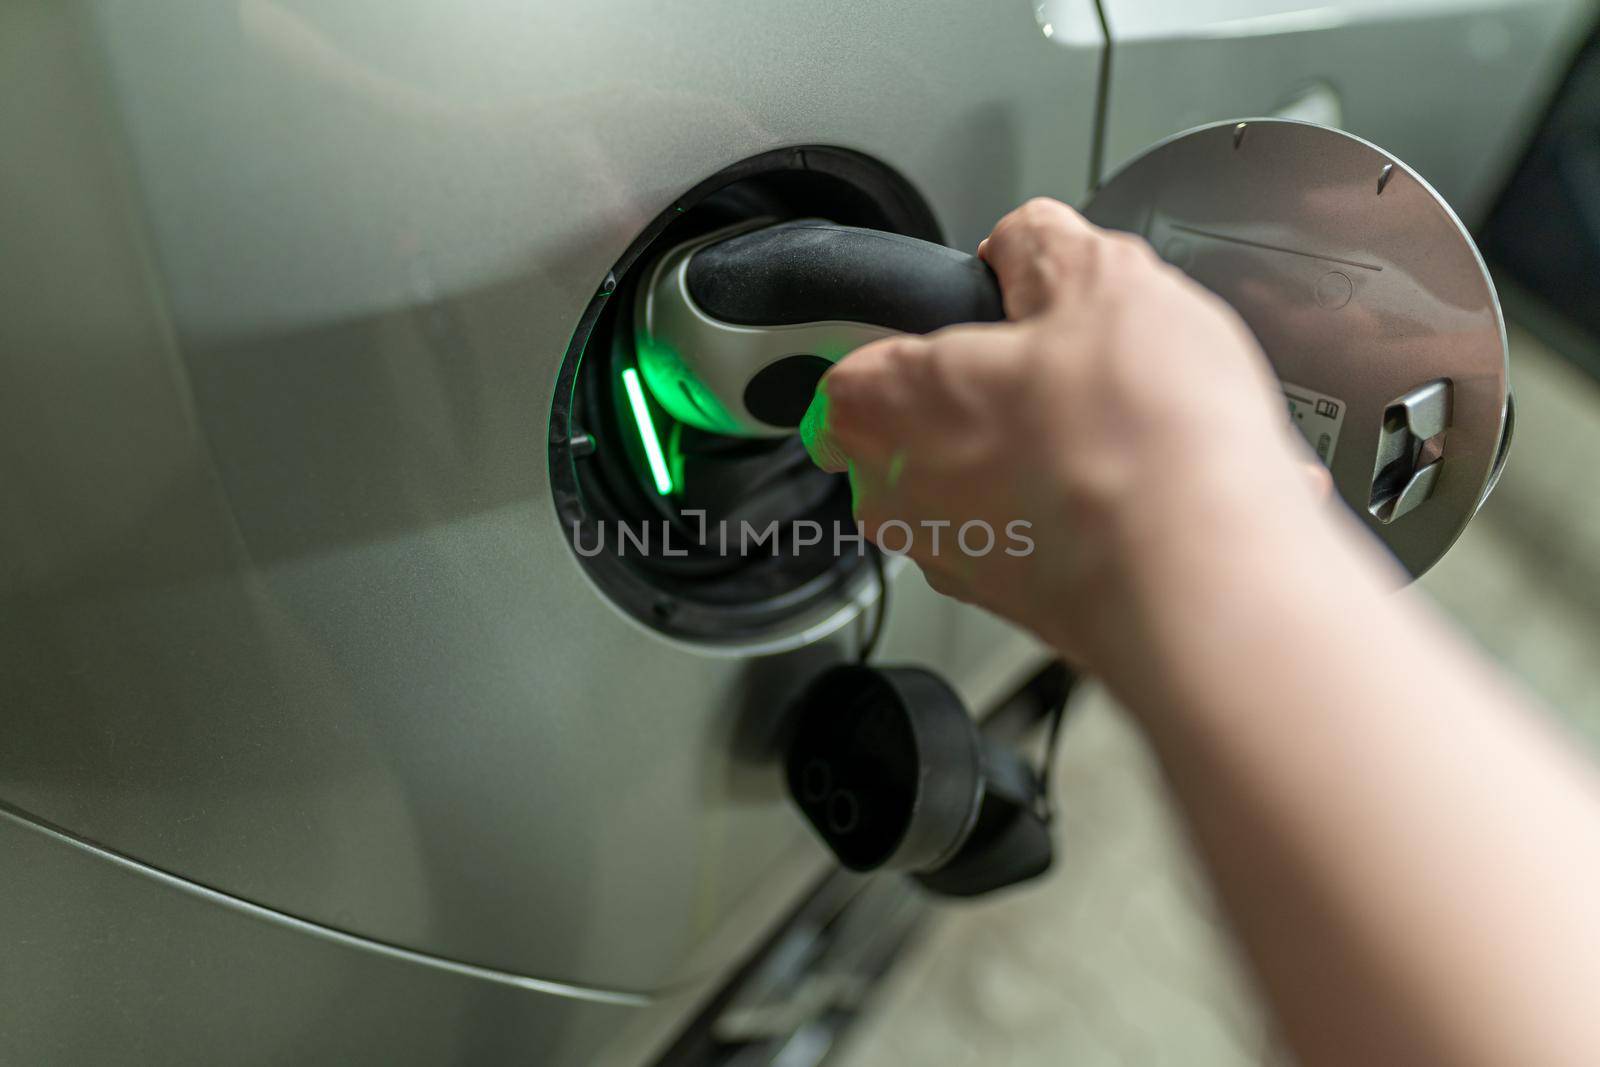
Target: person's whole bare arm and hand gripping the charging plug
point(1409, 857)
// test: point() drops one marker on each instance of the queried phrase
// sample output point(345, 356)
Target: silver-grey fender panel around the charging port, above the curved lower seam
point(287, 609)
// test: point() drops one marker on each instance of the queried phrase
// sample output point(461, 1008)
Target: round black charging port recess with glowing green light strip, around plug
point(698, 535)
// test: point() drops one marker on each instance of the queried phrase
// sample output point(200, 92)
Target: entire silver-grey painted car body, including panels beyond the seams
point(316, 743)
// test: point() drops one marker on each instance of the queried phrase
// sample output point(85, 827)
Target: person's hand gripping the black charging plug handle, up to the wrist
point(1121, 409)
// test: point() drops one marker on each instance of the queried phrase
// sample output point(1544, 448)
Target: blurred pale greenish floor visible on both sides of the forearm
point(1118, 957)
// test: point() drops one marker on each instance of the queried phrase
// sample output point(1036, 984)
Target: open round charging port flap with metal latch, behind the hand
point(1367, 295)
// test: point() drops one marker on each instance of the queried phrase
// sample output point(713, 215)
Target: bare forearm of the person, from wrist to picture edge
point(1393, 834)
